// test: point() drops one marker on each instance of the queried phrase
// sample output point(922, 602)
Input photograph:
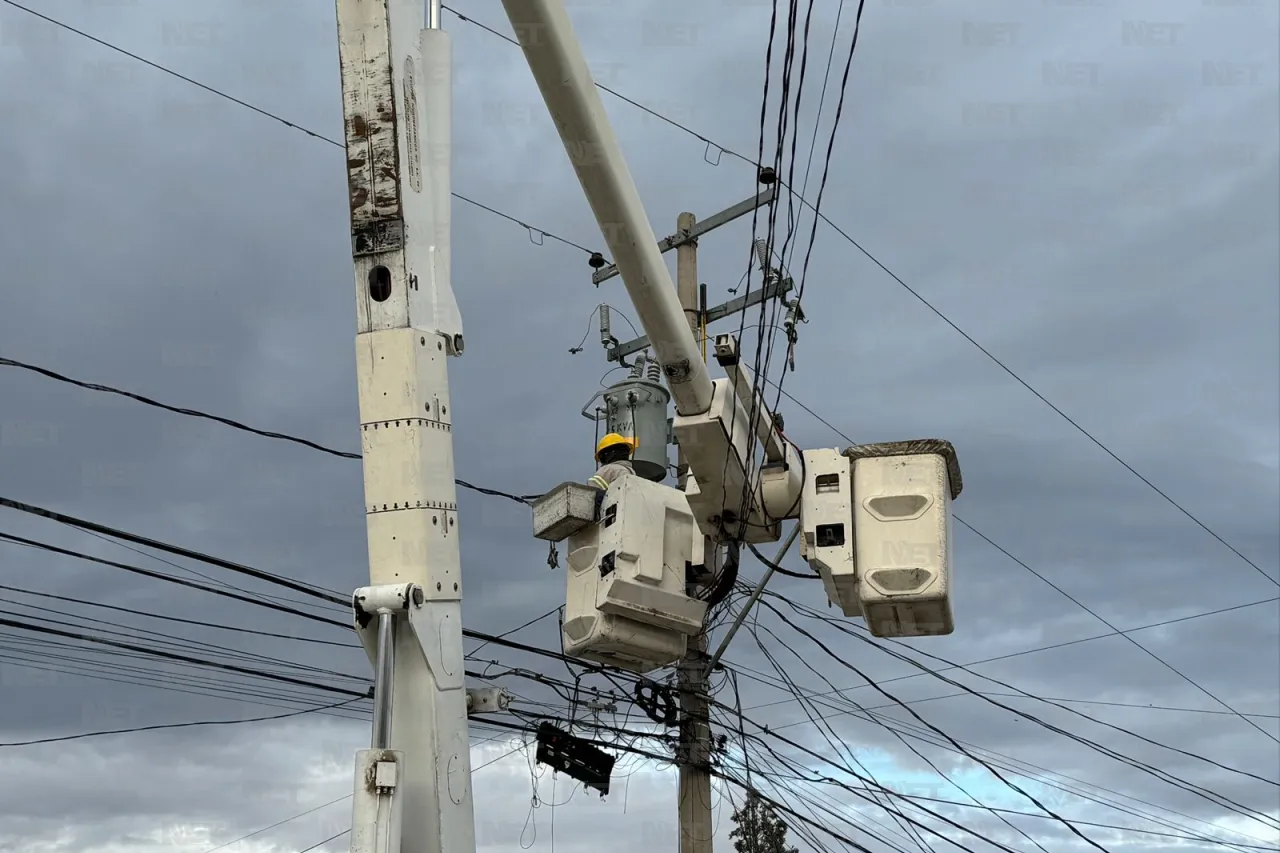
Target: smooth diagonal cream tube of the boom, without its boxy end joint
point(560, 70)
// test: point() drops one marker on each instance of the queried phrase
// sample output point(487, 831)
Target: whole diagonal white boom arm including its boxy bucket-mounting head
point(712, 426)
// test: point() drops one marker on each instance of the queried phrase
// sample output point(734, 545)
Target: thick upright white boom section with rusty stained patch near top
point(397, 103)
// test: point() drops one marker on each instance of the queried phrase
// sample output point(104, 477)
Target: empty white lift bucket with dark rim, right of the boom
point(877, 528)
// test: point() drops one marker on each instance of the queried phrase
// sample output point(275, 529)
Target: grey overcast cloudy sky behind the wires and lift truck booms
point(1089, 190)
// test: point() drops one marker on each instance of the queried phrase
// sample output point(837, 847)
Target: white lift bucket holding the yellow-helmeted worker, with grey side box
point(628, 568)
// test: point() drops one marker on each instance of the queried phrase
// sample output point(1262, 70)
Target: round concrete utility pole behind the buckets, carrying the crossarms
point(696, 735)
